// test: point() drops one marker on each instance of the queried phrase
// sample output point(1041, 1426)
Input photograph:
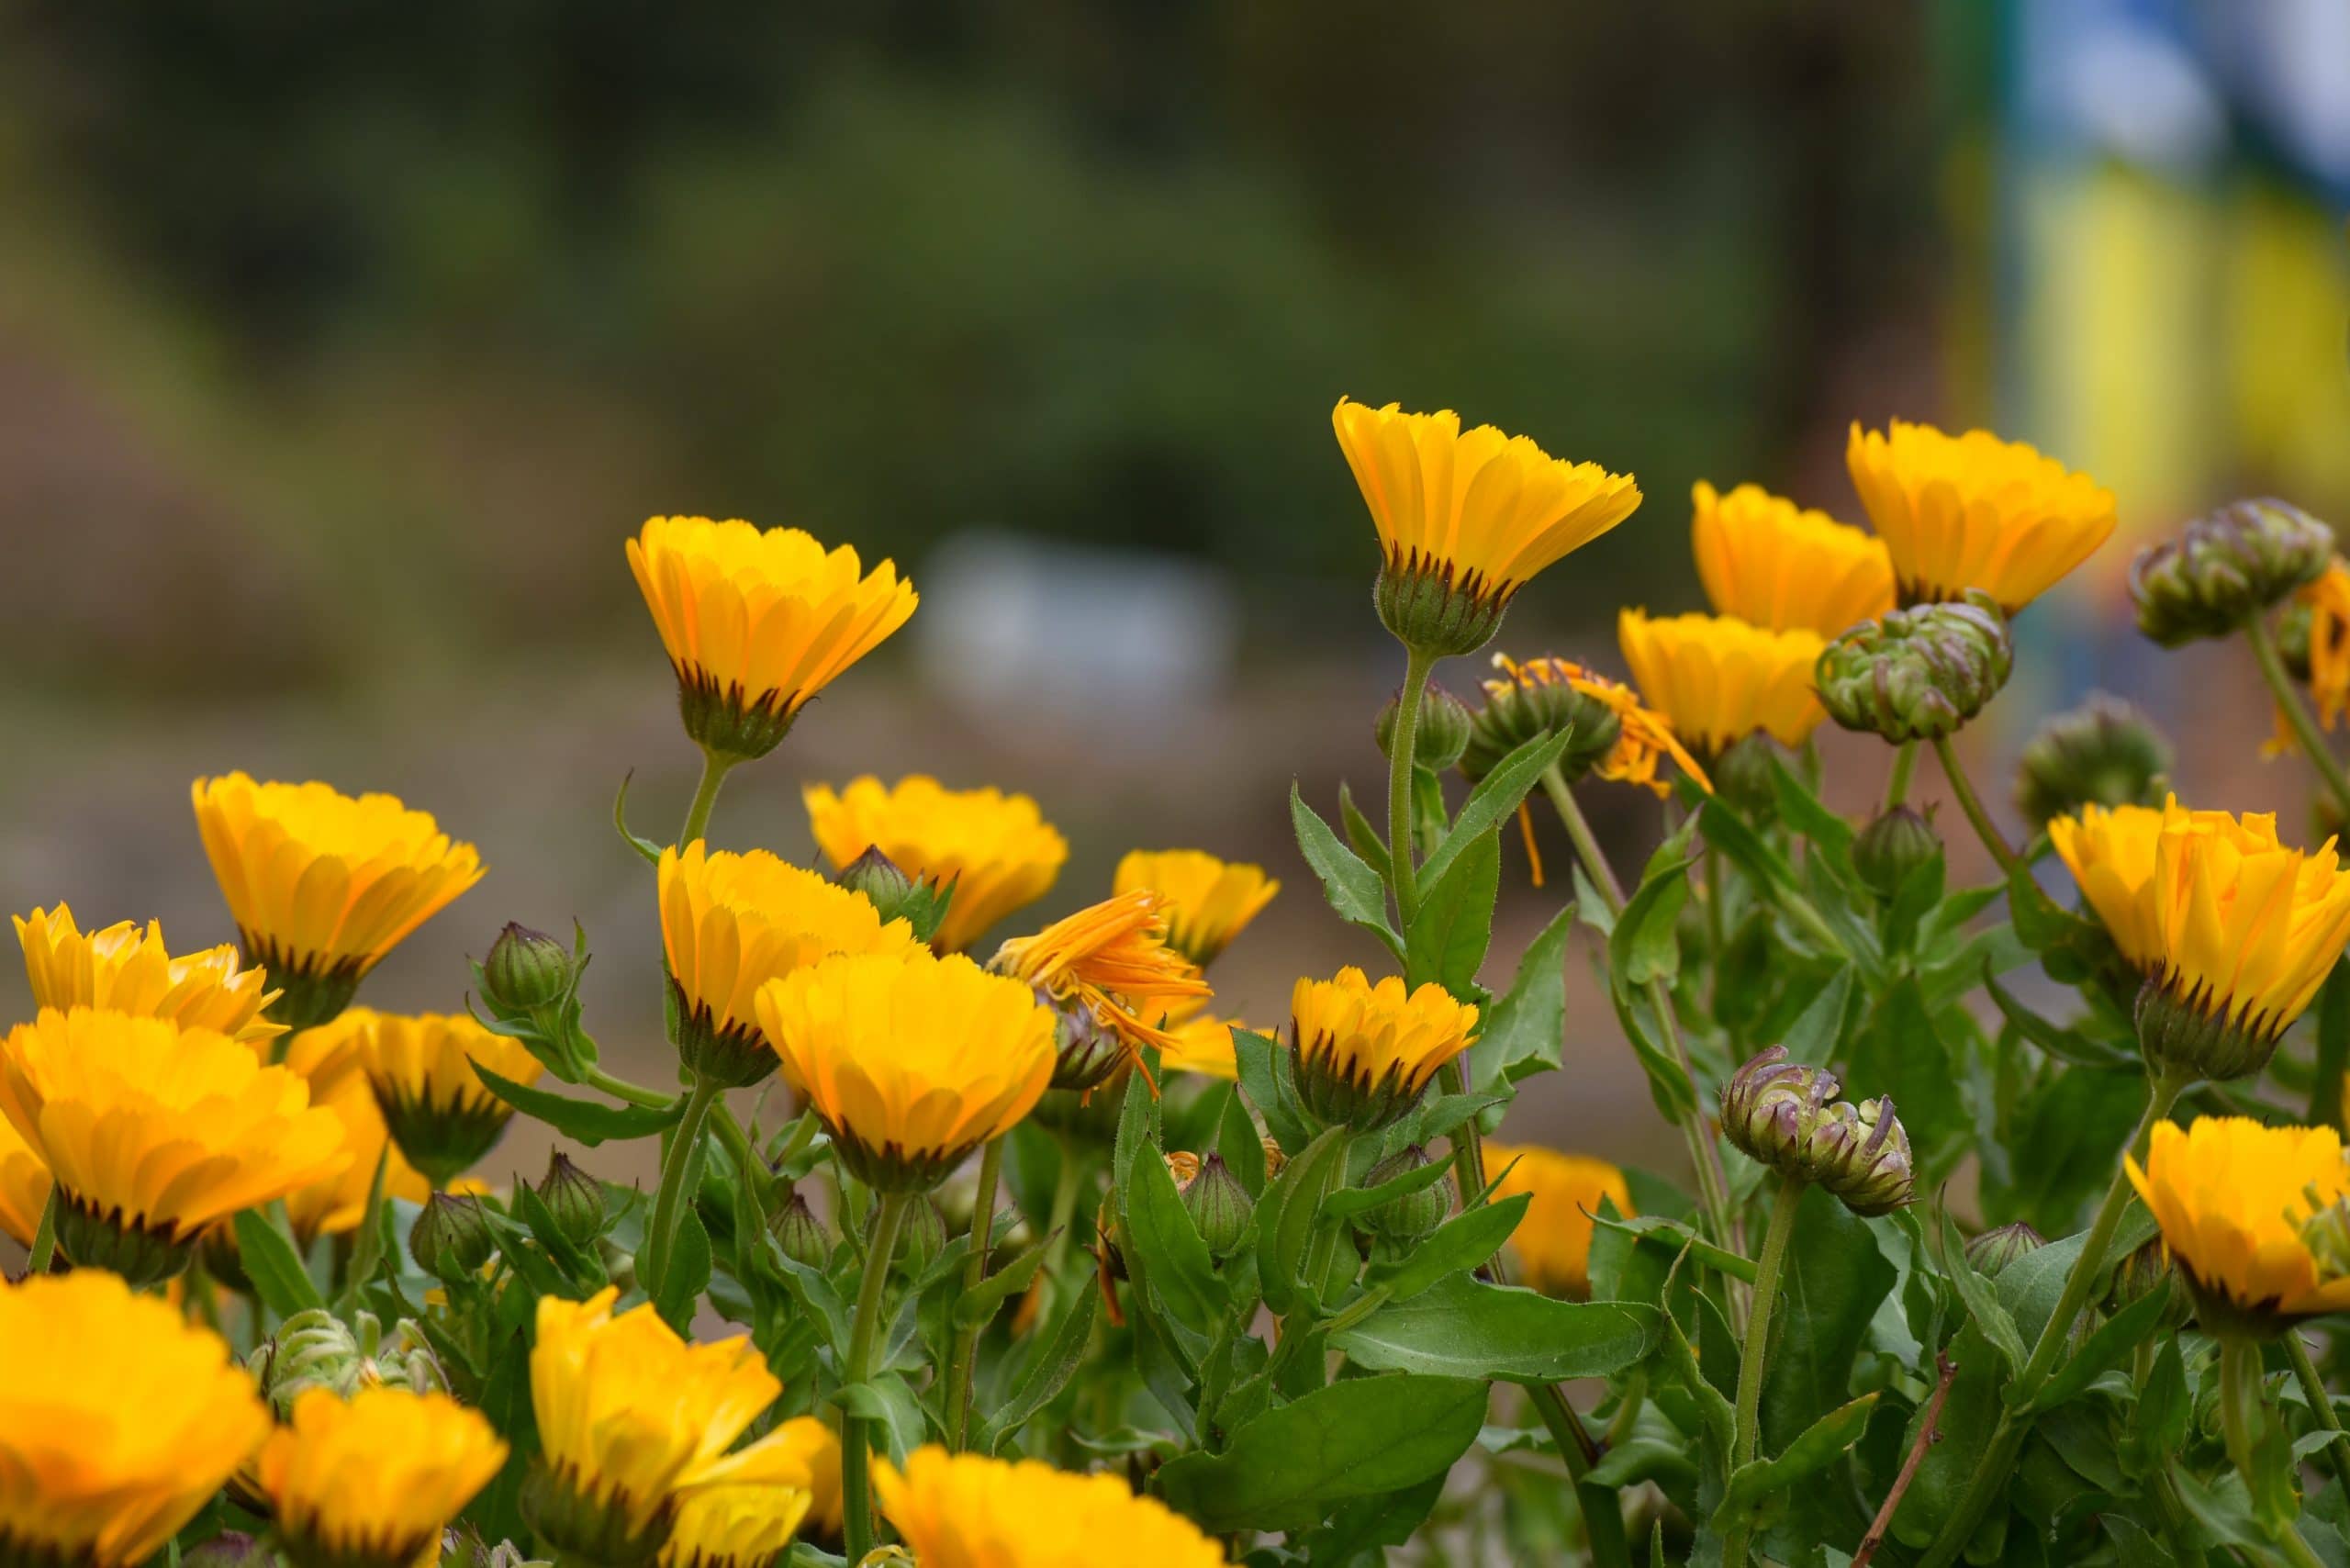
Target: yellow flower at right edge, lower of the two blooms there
point(2236, 1205)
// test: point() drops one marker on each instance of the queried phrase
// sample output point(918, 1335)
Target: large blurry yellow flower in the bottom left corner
point(119, 1421)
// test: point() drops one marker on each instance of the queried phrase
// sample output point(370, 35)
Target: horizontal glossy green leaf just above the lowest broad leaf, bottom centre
point(1470, 1329)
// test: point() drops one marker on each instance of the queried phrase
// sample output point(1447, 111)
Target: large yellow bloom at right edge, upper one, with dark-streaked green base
point(2231, 930)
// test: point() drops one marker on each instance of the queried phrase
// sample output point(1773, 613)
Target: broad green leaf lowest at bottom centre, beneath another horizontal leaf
point(1294, 1466)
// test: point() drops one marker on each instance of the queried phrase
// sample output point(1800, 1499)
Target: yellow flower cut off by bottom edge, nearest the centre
point(974, 1513)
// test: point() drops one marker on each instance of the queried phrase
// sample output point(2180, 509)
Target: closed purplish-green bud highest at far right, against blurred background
point(2224, 570)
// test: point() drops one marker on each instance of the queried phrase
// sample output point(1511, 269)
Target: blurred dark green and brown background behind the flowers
point(342, 347)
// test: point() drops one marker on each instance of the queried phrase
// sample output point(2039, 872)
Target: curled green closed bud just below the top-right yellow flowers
point(1916, 674)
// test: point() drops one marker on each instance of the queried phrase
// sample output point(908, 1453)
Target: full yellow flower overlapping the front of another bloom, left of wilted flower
point(911, 1064)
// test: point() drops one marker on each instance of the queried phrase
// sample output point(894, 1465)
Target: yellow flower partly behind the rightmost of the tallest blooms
point(1785, 568)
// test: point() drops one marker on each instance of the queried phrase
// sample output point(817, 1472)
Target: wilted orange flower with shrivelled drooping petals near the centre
point(1115, 967)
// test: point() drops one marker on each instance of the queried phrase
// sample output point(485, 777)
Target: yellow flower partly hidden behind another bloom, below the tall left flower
point(734, 923)
